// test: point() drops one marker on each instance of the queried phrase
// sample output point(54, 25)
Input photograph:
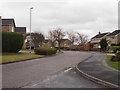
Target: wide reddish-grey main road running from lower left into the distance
point(20, 74)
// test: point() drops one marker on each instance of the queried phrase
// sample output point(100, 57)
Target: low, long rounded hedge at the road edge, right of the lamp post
point(45, 51)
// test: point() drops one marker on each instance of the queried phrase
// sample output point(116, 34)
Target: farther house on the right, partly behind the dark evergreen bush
point(96, 39)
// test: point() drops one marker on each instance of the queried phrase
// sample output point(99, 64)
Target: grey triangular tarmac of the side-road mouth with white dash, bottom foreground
point(64, 79)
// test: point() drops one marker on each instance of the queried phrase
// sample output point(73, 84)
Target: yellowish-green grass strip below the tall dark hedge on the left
point(13, 57)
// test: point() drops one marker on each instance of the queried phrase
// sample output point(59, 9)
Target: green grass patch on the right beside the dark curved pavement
point(115, 65)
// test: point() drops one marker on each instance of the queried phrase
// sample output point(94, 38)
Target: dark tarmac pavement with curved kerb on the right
point(96, 66)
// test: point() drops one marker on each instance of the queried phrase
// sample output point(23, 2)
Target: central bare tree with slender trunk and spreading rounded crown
point(58, 35)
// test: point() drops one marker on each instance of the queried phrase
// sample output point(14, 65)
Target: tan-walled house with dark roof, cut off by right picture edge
point(113, 38)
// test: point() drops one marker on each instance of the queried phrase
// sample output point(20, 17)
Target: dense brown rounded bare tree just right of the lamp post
point(37, 38)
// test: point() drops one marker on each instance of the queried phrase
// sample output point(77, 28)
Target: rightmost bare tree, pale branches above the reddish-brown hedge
point(81, 38)
